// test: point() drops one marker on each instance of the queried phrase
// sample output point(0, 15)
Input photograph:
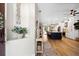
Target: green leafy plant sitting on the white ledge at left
point(20, 30)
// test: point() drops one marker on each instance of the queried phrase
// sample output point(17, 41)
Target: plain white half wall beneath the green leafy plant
point(21, 47)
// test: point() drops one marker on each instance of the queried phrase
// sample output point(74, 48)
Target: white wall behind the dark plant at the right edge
point(72, 32)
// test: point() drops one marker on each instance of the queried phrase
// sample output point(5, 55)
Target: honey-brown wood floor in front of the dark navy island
point(65, 47)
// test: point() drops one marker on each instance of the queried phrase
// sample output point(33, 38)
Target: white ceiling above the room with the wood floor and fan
point(55, 12)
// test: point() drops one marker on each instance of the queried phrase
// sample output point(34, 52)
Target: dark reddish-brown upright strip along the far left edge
point(2, 29)
